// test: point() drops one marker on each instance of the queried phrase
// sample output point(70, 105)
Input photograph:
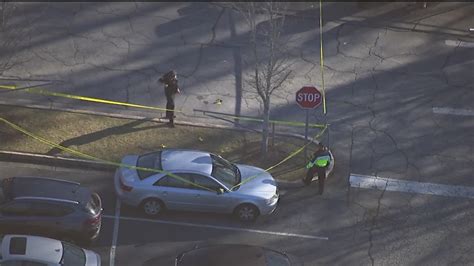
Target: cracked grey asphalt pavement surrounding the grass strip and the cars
point(389, 68)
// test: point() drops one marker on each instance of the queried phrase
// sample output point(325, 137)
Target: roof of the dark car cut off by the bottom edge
point(226, 254)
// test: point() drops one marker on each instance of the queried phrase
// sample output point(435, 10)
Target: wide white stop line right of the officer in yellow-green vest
point(390, 184)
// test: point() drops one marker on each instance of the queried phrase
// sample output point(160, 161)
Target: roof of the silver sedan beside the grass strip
point(186, 160)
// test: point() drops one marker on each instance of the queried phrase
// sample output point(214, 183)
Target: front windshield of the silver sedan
point(225, 172)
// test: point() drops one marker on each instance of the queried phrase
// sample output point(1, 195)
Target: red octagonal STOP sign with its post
point(308, 98)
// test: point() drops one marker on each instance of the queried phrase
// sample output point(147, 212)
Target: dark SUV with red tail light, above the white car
point(50, 207)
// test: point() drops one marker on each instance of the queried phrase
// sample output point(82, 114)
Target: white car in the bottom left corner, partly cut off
point(35, 250)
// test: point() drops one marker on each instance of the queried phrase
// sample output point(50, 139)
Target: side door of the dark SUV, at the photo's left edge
point(15, 217)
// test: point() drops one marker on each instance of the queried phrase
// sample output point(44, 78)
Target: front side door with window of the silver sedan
point(210, 195)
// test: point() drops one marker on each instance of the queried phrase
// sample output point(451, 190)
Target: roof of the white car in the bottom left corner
point(32, 248)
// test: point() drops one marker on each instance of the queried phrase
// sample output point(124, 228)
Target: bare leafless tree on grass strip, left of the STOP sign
point(269, 57)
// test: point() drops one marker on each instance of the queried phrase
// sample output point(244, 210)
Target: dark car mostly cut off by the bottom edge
point(235, 255)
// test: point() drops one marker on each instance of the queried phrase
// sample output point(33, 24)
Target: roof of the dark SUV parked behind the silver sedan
point(45, 187)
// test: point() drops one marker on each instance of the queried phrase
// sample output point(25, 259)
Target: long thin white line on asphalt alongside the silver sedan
point(220, 227)
